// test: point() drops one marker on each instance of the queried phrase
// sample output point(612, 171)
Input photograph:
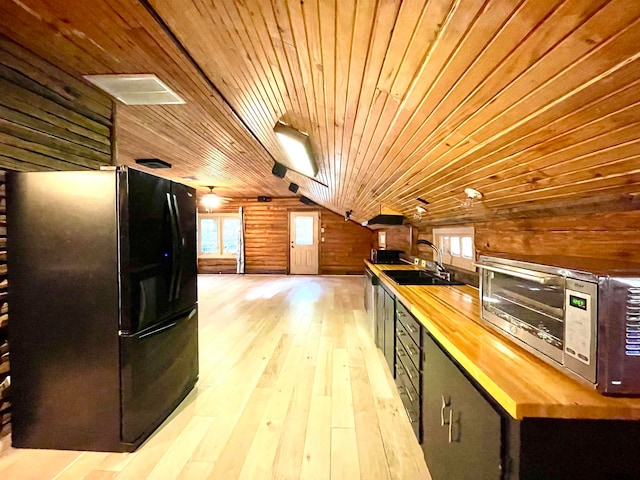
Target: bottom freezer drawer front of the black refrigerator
point(159, 368)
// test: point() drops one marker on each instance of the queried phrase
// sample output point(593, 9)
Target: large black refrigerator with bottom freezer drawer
point(104, 326)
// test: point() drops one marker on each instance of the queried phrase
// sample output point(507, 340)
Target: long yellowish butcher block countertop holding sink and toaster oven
point(522, 384)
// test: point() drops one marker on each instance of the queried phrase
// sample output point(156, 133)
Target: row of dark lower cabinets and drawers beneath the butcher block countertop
point(466, 435)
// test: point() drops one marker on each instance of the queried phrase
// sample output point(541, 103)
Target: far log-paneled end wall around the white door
point(267, 239)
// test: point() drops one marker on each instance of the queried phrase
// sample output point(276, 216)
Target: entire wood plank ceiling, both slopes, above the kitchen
point(531, 102)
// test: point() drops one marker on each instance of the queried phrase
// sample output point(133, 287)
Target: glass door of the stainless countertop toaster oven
point(526, 305)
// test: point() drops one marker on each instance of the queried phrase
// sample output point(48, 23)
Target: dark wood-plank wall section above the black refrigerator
point(49, 120)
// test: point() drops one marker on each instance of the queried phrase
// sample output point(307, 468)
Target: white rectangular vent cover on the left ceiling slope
point(143, 89)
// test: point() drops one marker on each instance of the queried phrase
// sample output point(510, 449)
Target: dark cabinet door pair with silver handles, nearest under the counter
point(462, 431)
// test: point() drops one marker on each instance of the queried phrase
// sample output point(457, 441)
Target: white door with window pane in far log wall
point(303, 248)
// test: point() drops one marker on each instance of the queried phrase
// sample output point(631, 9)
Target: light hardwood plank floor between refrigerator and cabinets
point(291, 386)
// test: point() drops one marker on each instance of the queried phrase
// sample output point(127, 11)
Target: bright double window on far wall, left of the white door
point(218, 235)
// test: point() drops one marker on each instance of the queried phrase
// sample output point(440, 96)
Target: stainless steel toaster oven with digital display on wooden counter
point(580, 315)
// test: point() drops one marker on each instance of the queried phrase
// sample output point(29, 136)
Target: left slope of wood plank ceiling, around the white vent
point(185, 136)
